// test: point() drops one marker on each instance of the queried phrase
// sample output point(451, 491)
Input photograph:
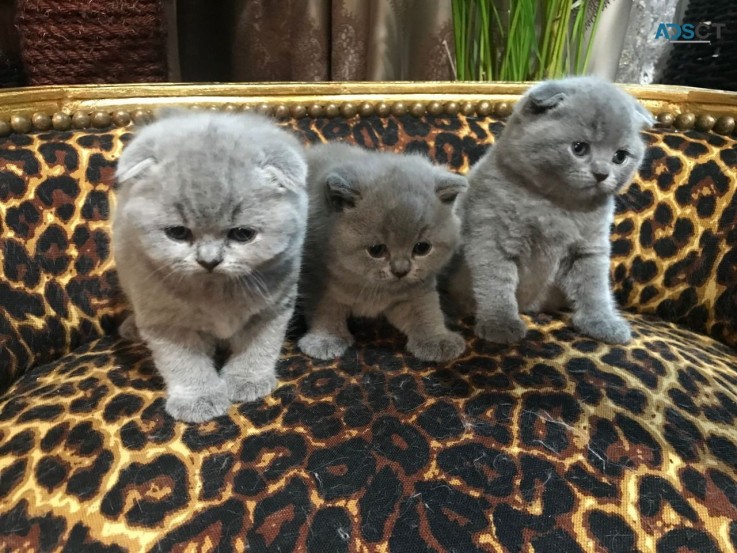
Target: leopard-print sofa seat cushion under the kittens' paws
point(561, 442)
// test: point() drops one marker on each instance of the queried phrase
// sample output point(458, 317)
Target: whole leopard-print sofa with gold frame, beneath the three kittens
point(557, 444)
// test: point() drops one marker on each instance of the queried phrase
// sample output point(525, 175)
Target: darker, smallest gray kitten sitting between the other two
point(381, 227)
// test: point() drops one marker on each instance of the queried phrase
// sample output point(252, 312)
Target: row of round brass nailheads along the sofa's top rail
point(62, 121)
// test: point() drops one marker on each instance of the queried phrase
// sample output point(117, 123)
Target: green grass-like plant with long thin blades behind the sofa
point(523, 40)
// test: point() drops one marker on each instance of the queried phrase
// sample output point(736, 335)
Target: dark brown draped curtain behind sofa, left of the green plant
point(314, 40)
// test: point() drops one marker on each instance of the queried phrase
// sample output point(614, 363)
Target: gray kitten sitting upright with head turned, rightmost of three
point(539, 209)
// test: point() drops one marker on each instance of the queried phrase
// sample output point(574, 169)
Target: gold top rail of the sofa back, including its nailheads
point(81, 106)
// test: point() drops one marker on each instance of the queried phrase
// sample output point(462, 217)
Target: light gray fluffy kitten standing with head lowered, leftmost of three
point(207, 236)
